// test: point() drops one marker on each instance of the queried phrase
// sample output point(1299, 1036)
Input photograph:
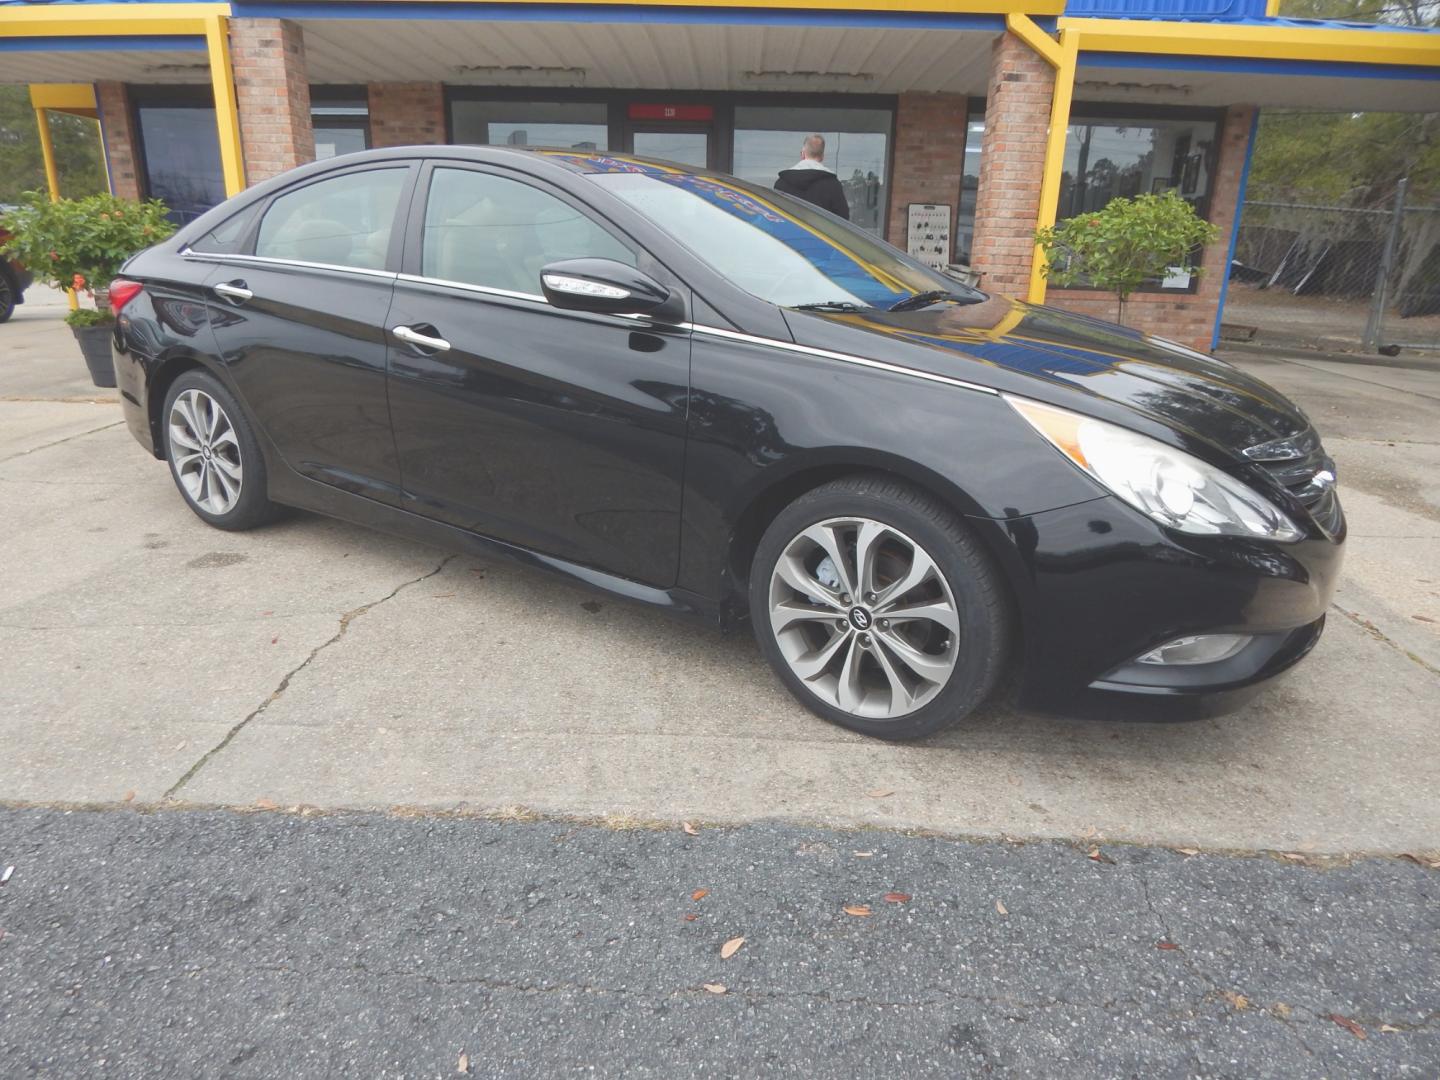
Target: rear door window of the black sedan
point(343, 221)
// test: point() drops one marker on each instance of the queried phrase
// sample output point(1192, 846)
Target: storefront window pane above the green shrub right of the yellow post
point(1108, 159)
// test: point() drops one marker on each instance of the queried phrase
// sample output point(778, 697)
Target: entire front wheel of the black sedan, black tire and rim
point(846, 657)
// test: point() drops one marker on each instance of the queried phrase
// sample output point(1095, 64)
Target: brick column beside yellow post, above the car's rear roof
point(273, 96)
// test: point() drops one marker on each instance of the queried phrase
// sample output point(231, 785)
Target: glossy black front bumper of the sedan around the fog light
point(1099, 585)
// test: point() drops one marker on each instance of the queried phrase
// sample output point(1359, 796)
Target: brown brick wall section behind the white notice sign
point(930, 156)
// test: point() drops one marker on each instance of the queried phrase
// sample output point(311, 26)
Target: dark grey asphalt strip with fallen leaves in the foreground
point(208, 944)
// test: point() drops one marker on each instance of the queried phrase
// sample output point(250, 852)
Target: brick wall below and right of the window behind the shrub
point(1186, 318)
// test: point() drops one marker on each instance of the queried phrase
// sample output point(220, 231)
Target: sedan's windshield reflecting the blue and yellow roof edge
point(777, 248)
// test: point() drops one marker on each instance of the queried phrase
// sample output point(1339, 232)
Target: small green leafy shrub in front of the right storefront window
point(1127, 244)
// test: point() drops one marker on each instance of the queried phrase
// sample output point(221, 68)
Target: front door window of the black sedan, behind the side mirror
point(483, 230)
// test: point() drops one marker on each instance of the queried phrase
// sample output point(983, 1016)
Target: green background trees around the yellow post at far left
point(78, 156)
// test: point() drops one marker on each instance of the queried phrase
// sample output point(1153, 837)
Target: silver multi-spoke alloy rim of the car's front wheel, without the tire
point(865, 617)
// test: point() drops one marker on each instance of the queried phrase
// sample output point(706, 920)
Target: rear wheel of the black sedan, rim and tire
point(221, 473)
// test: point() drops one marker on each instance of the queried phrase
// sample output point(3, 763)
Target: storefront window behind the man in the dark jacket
point(858, 142)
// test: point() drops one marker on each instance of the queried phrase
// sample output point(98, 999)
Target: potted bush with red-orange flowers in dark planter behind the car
point(81, 244)
